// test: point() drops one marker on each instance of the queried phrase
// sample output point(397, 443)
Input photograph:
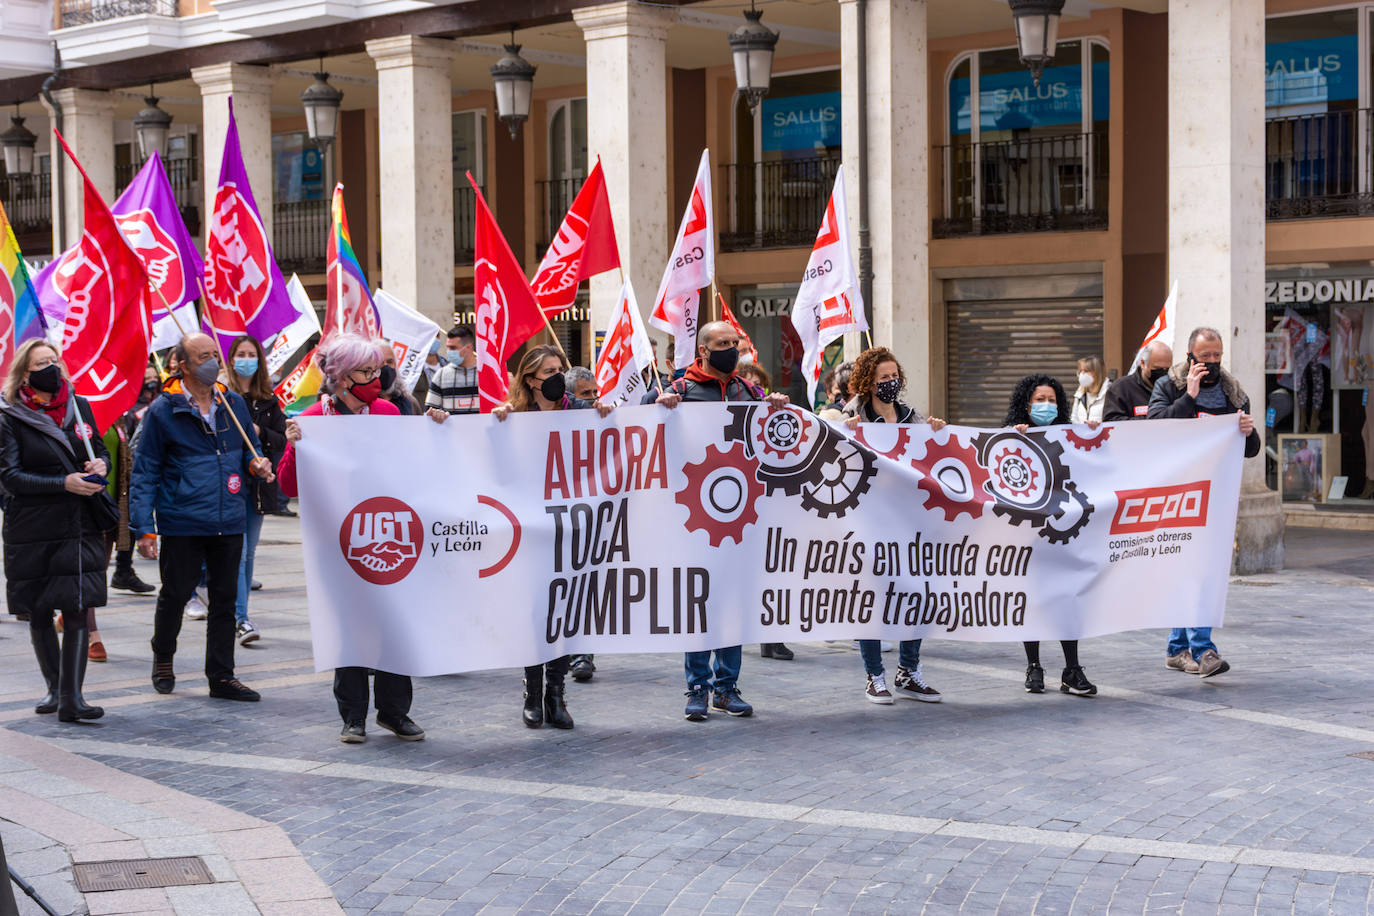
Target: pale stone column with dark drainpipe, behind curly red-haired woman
point(899, 153)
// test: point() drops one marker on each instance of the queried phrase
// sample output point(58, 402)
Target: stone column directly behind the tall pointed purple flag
point(252, 91)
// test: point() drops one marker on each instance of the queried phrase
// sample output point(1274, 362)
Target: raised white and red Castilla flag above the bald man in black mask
point(690, 270)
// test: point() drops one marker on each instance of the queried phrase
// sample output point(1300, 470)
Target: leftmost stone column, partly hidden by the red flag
point(89, 128)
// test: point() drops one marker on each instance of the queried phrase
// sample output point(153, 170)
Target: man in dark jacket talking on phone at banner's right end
point(1200, 387)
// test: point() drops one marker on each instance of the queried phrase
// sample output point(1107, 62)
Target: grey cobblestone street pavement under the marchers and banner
point(1248, 793)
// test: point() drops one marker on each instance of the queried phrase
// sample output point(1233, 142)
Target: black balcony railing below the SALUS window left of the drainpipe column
point(776, 205)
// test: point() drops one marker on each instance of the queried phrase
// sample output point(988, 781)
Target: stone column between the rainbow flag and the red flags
point(417, 172)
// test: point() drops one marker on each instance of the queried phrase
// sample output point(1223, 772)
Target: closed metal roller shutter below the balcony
point(994, 344)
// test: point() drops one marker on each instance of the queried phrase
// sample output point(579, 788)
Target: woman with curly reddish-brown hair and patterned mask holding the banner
point(877, 382)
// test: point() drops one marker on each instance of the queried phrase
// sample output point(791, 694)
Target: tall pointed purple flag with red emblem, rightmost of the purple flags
point(244, 288)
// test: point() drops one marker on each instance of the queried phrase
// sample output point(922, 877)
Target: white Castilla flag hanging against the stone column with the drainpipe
point(829, 303)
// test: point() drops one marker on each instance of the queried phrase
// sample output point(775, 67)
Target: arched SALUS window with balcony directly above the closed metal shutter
point(1022, 157)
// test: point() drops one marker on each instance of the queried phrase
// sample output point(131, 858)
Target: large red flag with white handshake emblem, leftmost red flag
point(109, 325)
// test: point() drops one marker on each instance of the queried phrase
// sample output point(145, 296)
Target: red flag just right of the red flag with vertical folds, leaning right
point(585, 247)
